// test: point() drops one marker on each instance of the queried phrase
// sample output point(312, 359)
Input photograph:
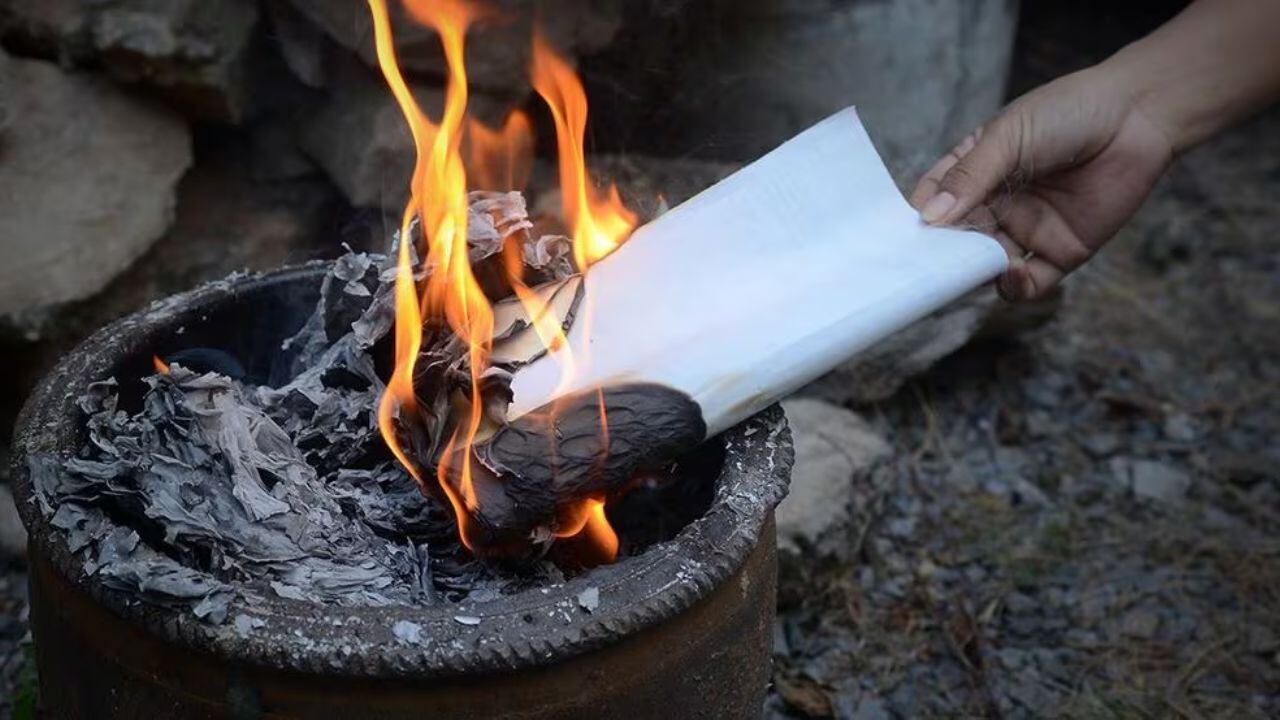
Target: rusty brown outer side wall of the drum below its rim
point(710, 662)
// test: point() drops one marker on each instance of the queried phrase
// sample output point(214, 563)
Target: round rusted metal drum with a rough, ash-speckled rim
point(680, 631)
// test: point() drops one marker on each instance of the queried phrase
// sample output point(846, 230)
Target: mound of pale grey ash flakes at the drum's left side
point(223, 496)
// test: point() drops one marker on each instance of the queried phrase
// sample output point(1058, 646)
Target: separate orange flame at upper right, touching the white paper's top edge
point(600, 222)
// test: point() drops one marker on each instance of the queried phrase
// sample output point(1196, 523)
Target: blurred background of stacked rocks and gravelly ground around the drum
point(1068, 507)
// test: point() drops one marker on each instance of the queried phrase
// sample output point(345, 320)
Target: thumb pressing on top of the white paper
point(971, 176)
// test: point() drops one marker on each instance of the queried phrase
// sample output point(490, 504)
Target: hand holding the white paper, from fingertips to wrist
point(1053, 177)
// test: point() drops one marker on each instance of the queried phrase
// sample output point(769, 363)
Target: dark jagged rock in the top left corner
point(196, 52)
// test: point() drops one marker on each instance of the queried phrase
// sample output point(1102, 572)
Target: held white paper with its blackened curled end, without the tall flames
point(710, 315)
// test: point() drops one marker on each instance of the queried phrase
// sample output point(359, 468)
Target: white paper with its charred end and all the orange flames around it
point(701, 320)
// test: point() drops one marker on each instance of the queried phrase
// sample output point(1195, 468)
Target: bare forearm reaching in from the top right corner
point(1214, 65)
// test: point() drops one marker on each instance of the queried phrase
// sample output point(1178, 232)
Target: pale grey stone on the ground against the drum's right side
point(834, 448)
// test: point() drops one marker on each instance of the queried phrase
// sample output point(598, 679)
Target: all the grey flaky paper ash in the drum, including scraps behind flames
point(221, 491)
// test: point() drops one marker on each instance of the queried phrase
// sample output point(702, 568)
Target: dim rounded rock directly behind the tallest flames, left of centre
point(362, 140)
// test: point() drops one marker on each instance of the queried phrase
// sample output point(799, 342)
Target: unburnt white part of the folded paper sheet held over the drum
point(764, 282)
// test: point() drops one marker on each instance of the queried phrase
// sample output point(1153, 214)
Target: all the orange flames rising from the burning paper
point(452, 157)
